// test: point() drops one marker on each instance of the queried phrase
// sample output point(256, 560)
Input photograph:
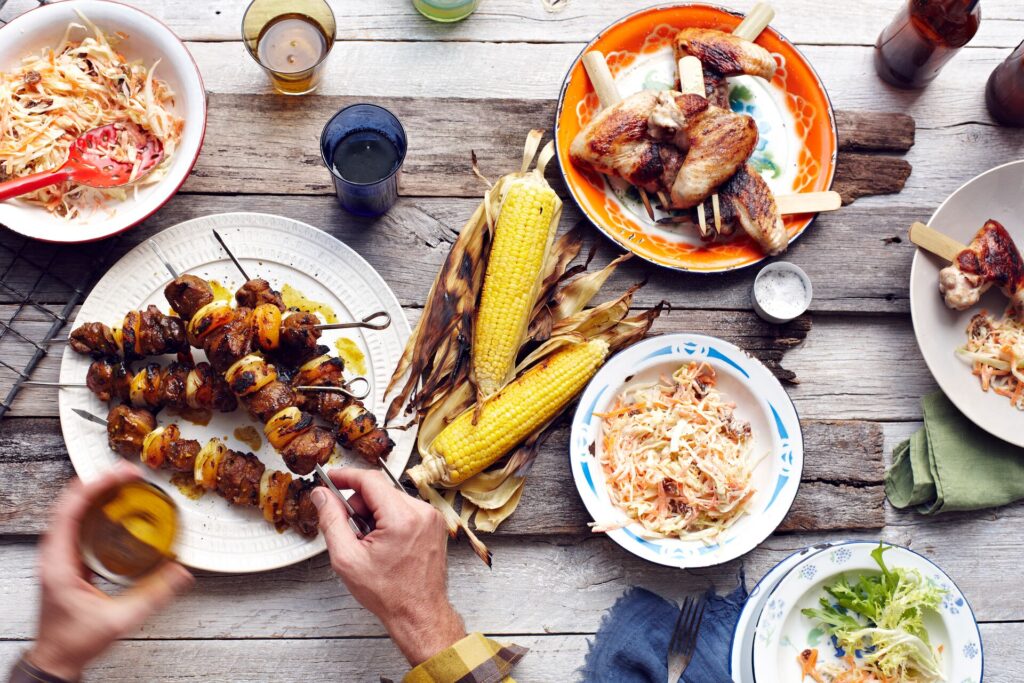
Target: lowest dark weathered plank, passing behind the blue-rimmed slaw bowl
point(34, 460)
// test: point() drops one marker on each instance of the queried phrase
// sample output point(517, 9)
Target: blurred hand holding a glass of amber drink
point(77, 621)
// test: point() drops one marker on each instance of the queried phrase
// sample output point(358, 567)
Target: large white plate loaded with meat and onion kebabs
point(206, 396)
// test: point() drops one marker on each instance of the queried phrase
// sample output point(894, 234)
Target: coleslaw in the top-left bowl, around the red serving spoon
point(60, 94)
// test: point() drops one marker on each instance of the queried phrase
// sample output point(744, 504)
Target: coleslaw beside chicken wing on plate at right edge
point(996, 351)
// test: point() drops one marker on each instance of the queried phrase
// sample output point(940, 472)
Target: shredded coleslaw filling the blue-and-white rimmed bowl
point(675, 457)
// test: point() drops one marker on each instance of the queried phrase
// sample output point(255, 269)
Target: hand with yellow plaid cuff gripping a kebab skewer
point(399, 571)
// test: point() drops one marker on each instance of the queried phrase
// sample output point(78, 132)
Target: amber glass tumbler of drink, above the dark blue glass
point(290, 39)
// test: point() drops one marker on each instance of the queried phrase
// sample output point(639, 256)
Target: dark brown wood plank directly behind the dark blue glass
point(444, 133)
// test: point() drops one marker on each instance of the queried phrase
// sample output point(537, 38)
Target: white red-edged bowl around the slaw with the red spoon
point(145, 39)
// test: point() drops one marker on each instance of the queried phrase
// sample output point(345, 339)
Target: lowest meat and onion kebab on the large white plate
point(240, 479)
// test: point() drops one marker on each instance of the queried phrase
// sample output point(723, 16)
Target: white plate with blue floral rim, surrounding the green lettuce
point(783, 632)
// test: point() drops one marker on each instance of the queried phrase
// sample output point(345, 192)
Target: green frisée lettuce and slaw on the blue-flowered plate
point(881, 617)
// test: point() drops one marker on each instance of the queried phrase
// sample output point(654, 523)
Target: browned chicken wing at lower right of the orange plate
point(753, 207)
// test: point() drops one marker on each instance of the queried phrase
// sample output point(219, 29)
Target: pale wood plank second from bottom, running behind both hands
point(554, 585)
